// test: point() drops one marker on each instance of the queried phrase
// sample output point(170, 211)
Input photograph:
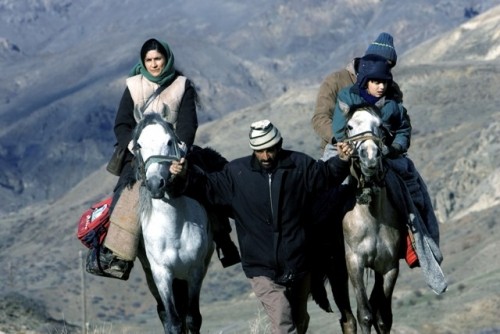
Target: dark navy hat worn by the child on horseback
point(373, 67)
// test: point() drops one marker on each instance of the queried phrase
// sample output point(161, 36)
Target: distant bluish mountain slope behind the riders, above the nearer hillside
point(66, 61)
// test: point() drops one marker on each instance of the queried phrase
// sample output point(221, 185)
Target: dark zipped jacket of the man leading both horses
point(269, 208)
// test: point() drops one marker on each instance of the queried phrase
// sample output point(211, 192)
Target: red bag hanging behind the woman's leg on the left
point(94, 223)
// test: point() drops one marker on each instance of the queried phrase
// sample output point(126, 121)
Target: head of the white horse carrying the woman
point(155, 147)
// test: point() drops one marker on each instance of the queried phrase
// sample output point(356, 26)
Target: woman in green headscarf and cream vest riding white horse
point(155, 85)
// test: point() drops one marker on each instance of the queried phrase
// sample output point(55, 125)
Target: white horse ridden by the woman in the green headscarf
point(176, 233)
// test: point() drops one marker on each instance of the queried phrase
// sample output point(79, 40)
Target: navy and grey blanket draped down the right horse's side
point(407, 190)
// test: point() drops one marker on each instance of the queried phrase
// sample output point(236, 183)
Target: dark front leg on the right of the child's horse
point(381, 300)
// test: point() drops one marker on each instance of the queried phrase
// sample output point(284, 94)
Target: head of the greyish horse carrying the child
point(364, 131)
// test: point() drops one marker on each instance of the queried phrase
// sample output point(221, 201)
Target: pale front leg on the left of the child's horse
point(355, 268)
